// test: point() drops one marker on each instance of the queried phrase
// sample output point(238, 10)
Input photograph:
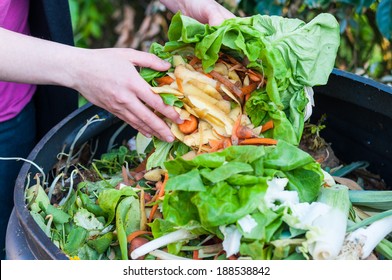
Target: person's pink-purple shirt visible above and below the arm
point(14, 96)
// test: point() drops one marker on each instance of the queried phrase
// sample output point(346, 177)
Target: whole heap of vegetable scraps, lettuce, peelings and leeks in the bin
point(237, 182)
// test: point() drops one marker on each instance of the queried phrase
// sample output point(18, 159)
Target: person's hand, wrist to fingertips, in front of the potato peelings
point(108, 79)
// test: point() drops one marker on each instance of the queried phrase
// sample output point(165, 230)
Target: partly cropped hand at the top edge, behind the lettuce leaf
point(204, 11)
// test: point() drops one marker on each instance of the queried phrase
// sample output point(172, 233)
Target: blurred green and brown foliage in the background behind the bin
point(365, 26)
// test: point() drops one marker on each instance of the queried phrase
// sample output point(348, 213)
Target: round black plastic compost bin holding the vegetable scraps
point(359, 126)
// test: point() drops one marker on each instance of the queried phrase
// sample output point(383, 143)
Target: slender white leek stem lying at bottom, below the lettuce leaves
point(175, 236)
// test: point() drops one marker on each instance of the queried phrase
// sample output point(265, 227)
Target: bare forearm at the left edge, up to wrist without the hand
point(27, 59)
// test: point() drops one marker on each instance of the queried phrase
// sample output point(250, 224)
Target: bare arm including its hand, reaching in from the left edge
point(105, 77)
